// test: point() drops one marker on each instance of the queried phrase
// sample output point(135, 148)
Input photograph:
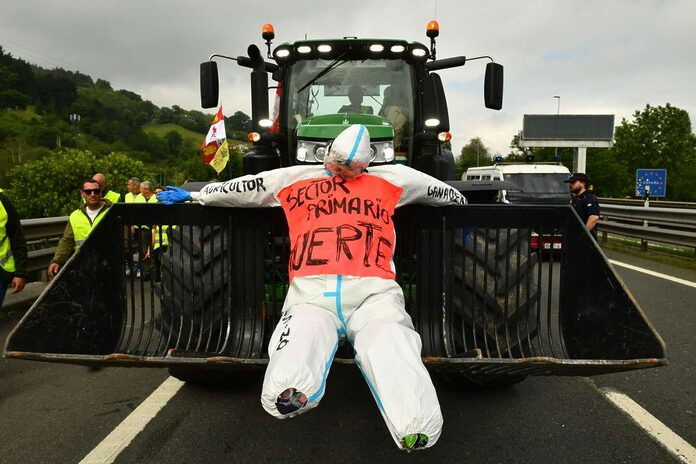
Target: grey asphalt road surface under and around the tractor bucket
point(55, 413)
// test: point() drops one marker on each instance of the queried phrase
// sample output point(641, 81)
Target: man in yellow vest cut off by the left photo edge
point(13, 249)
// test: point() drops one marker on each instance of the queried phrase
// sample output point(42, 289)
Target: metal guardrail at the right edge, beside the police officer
point(674, 226)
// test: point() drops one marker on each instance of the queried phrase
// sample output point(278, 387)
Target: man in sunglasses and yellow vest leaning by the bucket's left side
point(80, 225)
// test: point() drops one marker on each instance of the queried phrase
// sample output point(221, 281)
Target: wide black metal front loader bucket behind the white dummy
point(194, 287)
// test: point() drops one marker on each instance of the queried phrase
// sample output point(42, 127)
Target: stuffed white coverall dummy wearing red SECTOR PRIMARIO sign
point(343, 284)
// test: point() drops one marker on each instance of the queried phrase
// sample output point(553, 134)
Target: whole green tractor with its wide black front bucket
point(488, 309)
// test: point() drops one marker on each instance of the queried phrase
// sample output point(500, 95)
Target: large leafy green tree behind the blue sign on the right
point(660, 137)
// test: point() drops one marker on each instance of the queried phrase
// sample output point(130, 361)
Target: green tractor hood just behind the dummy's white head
point(327, 127)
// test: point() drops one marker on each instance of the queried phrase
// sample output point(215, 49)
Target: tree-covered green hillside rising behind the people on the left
point(45, 153)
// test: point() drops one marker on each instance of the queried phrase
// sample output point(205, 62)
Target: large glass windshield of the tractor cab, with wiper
point(377, 87)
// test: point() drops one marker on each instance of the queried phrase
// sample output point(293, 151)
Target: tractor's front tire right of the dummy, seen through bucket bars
point(495, 293)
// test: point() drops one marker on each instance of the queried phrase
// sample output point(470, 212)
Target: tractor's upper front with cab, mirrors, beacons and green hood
point(322, 86)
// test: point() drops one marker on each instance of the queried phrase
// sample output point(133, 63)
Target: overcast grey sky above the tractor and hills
point(601, 57)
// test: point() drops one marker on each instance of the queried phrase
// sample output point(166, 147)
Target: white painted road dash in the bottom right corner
point(669, 440)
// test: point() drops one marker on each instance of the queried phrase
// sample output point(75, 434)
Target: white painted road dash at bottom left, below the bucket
point(119, 438)
